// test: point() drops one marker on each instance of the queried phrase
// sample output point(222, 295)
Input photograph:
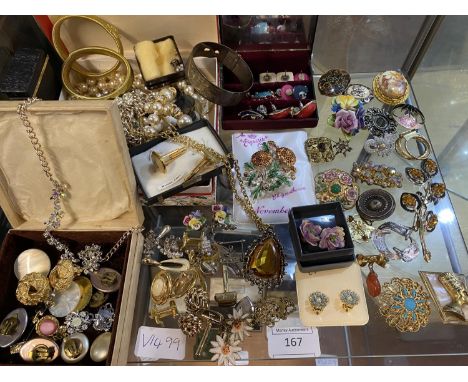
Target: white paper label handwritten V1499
point(155, 343)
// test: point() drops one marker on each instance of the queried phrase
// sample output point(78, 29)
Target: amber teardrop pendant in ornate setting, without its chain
point(264, 265)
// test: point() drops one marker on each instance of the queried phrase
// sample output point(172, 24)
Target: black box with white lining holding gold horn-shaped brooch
point(183, 170)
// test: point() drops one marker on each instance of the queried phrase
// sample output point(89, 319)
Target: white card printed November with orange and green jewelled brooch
point(276, 173)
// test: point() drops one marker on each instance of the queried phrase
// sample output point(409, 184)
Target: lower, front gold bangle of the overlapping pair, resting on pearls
point(68, 64)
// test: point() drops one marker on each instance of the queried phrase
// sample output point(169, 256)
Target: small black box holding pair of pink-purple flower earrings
point(310, 258)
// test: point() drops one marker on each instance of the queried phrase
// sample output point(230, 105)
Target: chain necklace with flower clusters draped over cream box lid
point(91, 257)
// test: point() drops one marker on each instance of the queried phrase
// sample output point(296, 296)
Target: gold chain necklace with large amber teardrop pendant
point(264, 263)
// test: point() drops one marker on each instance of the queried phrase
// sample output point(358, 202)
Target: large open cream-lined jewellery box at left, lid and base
point(85, 146)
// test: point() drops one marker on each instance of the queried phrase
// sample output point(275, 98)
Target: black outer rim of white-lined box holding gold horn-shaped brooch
point(195, 180)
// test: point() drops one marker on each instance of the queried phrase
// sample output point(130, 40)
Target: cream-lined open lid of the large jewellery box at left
point(85, 147)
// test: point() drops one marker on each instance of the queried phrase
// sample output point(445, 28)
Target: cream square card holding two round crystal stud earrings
point(332, 282)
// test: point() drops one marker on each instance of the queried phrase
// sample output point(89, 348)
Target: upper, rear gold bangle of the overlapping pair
point(63, 51)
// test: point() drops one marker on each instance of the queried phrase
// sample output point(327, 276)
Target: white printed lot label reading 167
point(298, 342)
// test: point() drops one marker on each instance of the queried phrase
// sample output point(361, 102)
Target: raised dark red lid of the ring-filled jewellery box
point(260, 33)
